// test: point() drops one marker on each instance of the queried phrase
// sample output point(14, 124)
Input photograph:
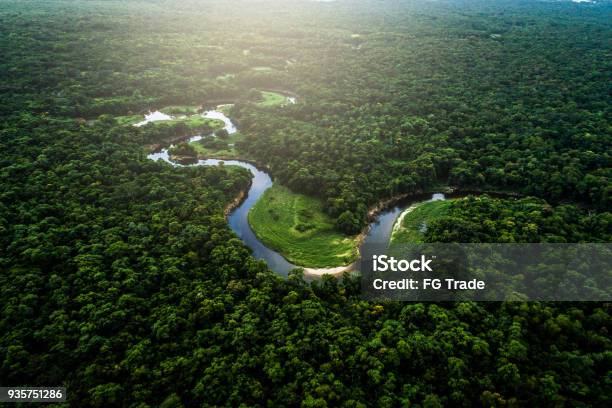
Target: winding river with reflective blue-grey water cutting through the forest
point(378, 232)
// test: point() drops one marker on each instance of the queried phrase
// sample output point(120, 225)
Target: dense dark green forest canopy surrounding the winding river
point(120, 279)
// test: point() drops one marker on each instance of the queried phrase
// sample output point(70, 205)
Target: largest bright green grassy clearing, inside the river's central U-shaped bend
point(296, 226)
